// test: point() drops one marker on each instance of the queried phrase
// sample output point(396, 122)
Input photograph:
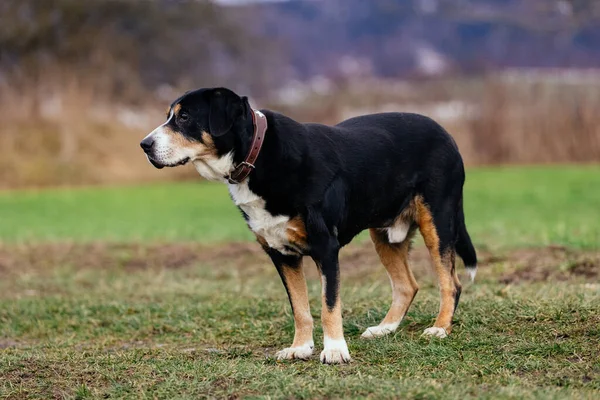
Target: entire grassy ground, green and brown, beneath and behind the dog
point(158, 291)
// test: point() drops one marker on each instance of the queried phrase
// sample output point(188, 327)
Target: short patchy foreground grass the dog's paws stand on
point(210, 331)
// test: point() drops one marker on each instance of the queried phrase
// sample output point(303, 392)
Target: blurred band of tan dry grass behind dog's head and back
point(62, 131)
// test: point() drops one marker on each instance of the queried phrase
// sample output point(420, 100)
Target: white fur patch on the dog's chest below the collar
point(273, 228)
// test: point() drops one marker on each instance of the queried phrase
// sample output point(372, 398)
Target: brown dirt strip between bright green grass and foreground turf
point(523, 265)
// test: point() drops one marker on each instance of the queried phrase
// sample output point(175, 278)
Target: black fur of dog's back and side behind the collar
point(366, 168)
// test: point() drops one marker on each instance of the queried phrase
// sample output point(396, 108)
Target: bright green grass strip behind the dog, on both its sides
point(504, 208)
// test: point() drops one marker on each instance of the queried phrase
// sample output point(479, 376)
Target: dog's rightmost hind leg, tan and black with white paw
point(437, 228)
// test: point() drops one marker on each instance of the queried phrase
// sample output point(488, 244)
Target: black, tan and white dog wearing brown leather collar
point(307, 189)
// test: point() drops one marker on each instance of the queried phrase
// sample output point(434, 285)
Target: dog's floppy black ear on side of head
point(225, 109)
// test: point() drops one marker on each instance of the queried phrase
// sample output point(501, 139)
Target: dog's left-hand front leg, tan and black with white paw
point(292, 275)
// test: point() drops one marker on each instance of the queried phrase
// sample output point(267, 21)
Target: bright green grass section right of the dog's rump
point(522, 207)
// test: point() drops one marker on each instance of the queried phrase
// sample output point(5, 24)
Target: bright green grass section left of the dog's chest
point(167, 212)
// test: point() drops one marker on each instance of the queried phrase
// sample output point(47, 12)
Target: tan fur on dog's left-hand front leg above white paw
point(298, 293)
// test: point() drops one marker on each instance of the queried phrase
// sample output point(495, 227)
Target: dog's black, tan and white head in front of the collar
point(200, 128)
